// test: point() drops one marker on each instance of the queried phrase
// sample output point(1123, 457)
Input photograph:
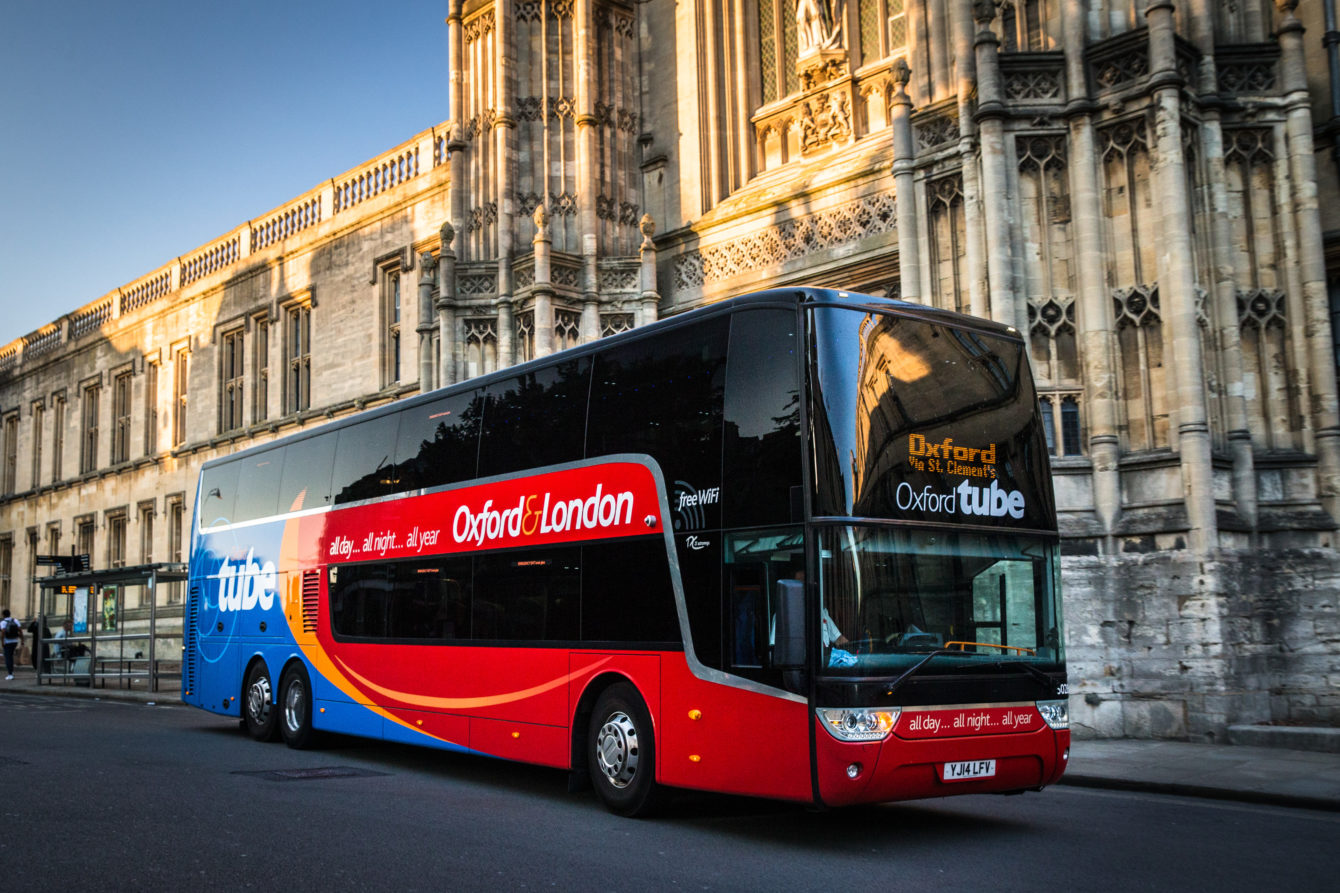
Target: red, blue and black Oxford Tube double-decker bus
point(798, 545)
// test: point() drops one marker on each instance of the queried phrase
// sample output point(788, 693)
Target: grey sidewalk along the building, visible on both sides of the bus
point(1276, 776)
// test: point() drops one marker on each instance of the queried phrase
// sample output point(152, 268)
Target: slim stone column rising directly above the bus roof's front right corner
point(996, 209)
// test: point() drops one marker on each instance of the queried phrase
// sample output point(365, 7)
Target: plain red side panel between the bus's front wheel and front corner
point(740, 743)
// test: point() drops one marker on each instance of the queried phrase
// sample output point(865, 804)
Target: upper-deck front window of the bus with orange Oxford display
point(923, 422)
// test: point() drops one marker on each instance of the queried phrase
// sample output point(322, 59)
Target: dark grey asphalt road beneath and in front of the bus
point(113, 796)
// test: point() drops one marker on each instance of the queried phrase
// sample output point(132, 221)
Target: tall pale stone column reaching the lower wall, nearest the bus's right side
point(1097, 340)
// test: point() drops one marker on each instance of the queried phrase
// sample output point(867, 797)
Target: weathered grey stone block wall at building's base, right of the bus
point(1164, 646)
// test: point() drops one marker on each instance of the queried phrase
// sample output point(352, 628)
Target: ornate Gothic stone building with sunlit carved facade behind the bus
point(1137, 184)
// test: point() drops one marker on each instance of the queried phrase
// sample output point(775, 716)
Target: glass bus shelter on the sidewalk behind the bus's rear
point(120, 627)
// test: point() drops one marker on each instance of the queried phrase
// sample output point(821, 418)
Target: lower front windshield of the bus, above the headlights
point(892, 596)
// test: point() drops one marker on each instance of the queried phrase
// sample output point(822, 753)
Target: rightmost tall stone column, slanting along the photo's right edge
point(1303, 174)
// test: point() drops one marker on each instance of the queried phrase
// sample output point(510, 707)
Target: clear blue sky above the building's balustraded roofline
point(136, 131)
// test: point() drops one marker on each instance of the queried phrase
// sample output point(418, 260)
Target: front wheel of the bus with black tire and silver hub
point(621, 753)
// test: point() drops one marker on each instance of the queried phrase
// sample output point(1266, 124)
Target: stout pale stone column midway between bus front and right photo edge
point(1177, 282)
